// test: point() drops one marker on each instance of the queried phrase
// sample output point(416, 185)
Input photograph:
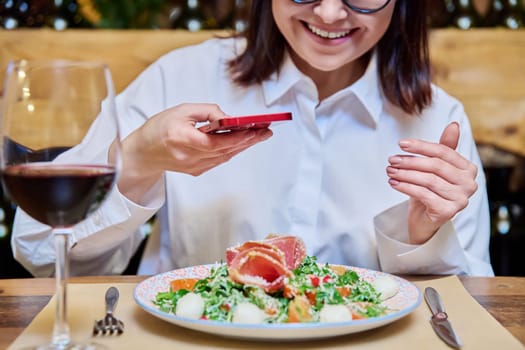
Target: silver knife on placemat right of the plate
point(439, 319)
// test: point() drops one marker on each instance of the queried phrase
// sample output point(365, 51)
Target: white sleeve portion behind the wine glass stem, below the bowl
point(100, 245)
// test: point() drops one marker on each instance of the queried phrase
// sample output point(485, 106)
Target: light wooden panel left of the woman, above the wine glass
point(127, 52)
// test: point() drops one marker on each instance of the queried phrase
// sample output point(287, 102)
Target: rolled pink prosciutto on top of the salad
point(265, 263)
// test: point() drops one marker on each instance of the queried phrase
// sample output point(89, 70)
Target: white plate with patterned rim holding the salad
point(404, 302)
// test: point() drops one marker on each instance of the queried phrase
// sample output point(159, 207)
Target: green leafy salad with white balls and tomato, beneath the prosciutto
point(311, 292)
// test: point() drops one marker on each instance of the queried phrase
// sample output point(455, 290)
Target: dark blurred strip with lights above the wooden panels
point(219, 14)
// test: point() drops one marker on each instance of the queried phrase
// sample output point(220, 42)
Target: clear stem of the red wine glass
point(61, 336)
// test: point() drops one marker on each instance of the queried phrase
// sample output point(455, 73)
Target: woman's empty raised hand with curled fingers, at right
point(439, 183)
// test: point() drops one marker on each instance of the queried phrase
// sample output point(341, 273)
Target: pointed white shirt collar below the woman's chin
point(366, 89)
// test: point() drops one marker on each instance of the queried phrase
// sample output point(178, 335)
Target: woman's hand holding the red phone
point(170, 141)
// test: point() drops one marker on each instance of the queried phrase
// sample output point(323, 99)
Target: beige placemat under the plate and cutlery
point(476, 327)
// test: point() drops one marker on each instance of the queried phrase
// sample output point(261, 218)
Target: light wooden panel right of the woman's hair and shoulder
point(485, 69)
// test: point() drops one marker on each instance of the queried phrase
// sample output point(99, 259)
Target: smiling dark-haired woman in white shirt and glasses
point(355, 75)
